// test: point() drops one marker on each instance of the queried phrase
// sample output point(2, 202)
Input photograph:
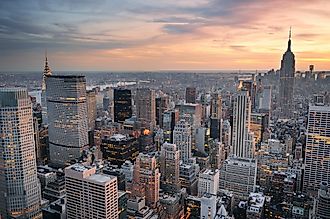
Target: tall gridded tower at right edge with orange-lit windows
point(317, 163)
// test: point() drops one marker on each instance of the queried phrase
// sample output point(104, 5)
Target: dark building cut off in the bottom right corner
point(323, 201)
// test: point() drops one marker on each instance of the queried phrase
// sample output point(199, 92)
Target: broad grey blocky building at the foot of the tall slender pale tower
point(238, 175)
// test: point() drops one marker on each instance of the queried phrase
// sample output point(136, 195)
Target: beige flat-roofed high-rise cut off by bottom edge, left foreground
point(89, 194)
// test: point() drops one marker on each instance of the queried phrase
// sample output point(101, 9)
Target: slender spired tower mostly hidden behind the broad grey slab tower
point(47, 72)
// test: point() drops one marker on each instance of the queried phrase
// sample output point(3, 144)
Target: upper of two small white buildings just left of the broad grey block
point(208, 182)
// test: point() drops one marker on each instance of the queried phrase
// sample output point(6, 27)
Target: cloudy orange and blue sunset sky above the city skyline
point(137, 35)
